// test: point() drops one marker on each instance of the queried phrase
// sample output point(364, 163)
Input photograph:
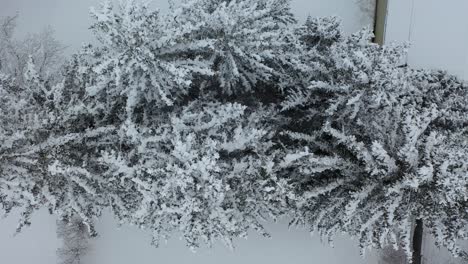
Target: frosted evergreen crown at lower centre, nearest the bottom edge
point(203, 171)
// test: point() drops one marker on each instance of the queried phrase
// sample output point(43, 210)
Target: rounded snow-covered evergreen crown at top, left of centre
point(141, 60)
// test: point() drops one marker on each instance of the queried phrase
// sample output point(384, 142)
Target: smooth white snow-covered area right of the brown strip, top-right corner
point(437, 30)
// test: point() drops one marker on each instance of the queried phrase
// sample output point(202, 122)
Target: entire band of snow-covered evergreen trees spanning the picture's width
point(220, 114)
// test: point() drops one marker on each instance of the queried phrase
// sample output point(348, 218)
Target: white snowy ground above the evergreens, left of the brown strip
point(71, 20)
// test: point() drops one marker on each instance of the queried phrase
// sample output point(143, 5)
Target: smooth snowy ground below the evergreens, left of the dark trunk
point(129, 245)
